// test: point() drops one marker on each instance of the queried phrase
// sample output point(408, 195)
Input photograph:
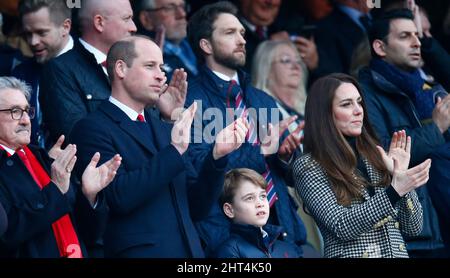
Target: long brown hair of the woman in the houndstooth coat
point(328, 146)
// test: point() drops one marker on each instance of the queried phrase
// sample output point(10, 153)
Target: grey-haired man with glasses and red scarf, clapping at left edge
point(35, 191)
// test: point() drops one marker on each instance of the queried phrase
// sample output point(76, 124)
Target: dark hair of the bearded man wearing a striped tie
point(200, 25)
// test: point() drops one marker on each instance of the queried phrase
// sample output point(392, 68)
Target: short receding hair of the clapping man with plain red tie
point(124, 50)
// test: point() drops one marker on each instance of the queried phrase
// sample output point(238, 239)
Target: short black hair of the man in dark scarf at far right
point(381, 26)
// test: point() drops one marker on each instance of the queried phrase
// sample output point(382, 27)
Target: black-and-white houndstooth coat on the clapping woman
point(367, 228)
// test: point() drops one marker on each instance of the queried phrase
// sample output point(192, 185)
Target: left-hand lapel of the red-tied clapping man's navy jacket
point(127, 125)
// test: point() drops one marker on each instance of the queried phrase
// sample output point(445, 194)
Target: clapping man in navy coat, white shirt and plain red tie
point(157, 193)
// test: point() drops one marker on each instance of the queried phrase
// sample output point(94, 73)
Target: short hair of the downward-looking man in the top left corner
point(58, 9)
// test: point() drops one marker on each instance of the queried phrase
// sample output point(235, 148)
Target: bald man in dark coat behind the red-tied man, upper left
point(76, 82)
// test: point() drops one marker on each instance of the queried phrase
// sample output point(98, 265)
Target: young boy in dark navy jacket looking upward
point(244, 201)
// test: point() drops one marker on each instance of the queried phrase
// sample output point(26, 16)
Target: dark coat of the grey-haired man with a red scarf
point(31, 211)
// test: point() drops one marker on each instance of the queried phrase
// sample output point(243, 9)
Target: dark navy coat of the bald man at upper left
point(72, 85)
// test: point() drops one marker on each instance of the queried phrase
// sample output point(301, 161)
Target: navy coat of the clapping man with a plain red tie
point(156, 193)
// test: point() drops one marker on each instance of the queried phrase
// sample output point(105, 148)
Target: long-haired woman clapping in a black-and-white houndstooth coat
point(361, 197)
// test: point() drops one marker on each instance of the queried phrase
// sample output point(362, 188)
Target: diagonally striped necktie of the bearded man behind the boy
point(234, 90)
